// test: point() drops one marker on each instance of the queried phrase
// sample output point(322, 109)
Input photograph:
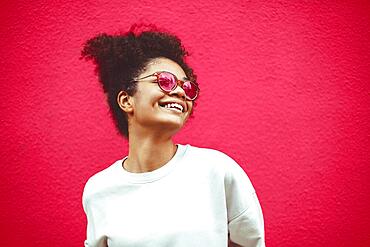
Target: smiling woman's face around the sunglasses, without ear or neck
point(149, 102)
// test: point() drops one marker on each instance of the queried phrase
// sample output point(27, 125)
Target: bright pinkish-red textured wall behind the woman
point(285, 92)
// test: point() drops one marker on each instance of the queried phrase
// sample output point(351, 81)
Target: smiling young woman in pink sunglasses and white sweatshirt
point(162, 193)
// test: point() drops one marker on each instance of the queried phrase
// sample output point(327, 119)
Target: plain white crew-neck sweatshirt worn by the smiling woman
point(199, 198)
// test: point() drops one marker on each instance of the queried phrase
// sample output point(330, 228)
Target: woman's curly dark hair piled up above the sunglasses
point(121, 58)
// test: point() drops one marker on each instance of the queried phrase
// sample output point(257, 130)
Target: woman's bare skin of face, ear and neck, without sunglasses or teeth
point(151, 127)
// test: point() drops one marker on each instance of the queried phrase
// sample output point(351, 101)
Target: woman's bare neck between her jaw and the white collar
point(148, 152)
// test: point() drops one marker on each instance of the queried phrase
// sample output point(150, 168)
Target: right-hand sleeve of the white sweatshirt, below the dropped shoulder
point(245, 219)
